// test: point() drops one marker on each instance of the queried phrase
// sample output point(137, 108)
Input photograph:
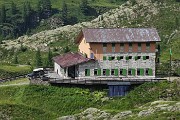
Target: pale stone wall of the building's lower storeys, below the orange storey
point(120, 64)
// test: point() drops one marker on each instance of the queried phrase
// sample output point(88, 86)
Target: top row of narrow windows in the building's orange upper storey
point(129, 48)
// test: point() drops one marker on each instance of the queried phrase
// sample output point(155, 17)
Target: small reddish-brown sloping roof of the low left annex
point(70, 59)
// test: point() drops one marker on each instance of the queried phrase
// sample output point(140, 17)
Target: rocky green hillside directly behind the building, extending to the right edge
point(163, 15)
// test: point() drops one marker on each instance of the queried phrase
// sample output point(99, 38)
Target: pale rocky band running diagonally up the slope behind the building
point(109, 19)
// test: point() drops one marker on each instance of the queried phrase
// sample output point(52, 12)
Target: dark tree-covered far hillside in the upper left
point(22, 17)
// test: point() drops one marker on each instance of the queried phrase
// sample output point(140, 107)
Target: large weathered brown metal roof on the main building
point(109, 35)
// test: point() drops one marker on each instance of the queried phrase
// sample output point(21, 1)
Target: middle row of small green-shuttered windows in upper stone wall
point(127, 57)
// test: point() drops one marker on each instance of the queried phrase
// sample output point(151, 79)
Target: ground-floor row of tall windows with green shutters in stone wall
point(121, 72)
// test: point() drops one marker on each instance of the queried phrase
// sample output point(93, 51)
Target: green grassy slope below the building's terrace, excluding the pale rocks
point(51, 102)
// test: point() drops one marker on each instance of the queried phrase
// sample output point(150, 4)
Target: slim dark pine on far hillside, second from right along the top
point(64, 12)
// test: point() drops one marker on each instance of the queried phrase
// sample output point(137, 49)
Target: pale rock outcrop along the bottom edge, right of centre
point(153, 108)
